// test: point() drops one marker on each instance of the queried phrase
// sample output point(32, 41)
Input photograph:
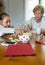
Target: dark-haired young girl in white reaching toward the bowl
point(5, 25)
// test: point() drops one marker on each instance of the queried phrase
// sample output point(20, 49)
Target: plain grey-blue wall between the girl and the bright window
point(15, 8)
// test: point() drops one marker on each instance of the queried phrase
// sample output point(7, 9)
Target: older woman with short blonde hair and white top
point(37, 22)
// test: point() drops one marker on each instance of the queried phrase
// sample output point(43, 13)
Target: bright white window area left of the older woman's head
point(29, 5)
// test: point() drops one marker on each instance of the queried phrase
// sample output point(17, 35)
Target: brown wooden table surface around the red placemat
point(39, 59)
